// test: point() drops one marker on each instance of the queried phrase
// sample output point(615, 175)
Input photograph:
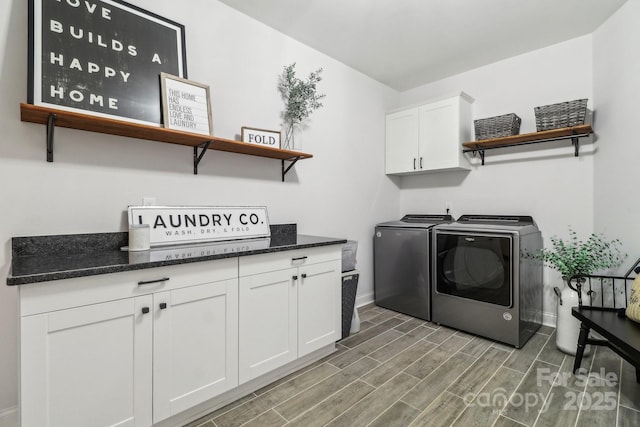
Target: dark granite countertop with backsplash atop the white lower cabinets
point(48, 258)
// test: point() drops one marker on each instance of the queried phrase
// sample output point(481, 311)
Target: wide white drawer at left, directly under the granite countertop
point(62, 294)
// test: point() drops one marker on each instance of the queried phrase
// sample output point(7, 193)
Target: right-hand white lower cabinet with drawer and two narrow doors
point(290, 306)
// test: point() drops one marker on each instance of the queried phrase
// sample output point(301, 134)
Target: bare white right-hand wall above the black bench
point(616, 82)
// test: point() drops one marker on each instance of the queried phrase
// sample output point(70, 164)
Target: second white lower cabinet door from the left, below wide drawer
point(195, 345)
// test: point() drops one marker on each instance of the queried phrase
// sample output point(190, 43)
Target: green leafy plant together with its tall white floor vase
point(574, 258)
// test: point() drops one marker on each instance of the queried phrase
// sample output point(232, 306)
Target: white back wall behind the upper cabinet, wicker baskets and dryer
point(545, 181)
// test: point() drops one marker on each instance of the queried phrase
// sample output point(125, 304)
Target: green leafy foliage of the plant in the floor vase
point(575, 257)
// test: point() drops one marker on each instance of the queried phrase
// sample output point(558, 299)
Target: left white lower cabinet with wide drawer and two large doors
point(128, 362)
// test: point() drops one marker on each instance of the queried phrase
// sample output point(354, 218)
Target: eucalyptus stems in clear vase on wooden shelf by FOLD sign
point(300, 99)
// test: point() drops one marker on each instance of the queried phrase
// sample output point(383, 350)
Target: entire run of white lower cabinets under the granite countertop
point(133, 349)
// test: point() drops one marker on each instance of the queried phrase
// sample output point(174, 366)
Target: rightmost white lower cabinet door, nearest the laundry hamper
point(319, 306)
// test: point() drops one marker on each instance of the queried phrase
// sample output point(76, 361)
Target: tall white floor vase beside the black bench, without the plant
point(567, 326)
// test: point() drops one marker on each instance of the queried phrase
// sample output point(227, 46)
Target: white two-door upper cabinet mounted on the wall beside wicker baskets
point(428, 137)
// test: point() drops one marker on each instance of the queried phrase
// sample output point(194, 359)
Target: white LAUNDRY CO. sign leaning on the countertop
point(192, 224)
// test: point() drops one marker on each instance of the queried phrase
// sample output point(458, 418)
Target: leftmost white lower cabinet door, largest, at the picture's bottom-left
point(88, 366)
